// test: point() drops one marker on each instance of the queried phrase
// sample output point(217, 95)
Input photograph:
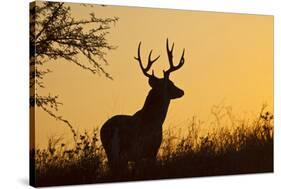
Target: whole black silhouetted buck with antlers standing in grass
point(139, 136)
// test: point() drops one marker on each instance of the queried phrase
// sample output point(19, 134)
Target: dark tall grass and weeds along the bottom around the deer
point(245, 147)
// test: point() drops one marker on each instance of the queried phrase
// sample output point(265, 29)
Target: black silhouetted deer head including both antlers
point(163, 85)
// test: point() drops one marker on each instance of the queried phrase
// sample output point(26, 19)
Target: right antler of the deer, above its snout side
point(170, 57)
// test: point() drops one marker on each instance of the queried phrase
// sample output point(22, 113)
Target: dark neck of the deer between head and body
point(155, 108)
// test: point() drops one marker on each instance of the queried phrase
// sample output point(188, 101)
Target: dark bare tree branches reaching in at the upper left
point(56, 34)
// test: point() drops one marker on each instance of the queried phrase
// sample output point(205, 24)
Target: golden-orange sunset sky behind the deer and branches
point(229, 61)
